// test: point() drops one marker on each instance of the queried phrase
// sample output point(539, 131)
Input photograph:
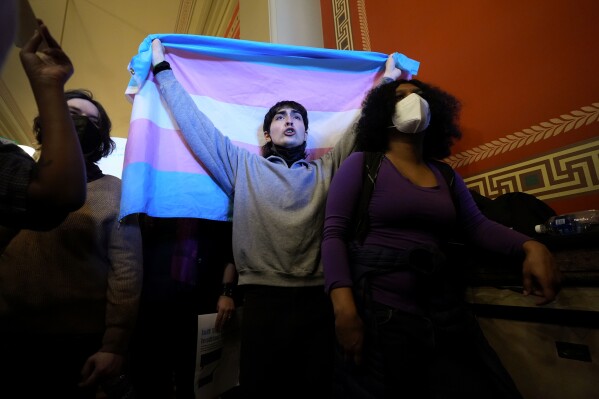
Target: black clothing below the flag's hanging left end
point(163, 346)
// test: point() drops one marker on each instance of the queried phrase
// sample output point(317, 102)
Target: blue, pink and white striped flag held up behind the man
point(234, 82)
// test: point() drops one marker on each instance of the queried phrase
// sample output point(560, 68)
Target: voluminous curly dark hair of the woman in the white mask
point(372, 129)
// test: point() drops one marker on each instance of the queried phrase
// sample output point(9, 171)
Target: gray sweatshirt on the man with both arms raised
point(278, 211)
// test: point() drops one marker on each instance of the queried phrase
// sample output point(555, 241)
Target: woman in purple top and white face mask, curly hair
point(401, 324)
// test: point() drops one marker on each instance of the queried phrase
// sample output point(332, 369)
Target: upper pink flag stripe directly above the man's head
point(262, 85)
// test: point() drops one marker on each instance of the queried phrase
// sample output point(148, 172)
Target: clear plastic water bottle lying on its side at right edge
point(571, 223)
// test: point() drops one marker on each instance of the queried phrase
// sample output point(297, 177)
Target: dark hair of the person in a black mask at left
point(107, 145)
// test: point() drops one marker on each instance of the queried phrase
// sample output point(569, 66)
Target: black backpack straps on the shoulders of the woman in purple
point(372, 164)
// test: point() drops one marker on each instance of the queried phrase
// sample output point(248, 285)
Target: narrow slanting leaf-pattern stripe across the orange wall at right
point(567, 122)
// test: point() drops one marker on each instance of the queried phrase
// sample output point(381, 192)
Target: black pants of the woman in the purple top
point(444, 356)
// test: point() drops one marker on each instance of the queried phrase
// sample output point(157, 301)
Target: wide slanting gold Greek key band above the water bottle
point(567, 172)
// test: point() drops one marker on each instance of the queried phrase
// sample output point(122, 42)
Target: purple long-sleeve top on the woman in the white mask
point(402, 215)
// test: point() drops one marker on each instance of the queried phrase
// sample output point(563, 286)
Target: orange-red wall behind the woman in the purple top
point(515, 65)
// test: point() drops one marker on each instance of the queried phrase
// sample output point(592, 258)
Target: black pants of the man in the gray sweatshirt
point(287, 343)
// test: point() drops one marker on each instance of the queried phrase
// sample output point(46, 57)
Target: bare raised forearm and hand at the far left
point(58, 184)
